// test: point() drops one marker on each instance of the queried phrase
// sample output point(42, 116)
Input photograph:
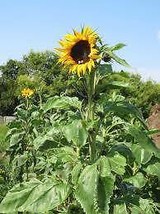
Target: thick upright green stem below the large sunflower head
point(91, 83)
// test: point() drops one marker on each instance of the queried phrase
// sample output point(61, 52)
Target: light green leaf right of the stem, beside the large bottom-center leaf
point(118, 163)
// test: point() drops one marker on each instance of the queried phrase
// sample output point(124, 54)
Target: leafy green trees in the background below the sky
point(40, 71)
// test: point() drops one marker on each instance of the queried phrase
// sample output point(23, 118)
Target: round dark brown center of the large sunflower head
point(80, 52)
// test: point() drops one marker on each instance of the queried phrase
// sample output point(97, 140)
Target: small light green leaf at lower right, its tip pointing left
point(137, 180)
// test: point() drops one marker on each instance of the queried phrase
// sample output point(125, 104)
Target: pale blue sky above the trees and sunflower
point(38, 25)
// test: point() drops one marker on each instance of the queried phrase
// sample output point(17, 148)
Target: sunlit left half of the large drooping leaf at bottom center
point(86, 189)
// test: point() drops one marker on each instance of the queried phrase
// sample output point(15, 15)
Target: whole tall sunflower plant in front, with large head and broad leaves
point(94, 154)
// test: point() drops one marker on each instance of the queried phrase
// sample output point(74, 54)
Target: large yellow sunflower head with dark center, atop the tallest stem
point(78, 51)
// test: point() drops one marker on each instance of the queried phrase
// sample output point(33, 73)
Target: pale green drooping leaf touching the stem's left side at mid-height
point(75, 132)
